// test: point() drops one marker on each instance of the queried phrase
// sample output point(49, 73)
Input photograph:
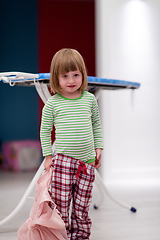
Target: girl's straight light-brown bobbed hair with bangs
point(66, 60)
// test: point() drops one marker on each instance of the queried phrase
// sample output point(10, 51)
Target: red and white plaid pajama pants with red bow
point(73, 180)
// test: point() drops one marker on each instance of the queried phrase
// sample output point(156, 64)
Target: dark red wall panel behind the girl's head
point(66, 24)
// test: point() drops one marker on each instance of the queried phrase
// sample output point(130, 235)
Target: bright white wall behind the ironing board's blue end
point(128, 48)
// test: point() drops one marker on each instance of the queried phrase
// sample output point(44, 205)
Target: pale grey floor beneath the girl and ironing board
point(110, 221)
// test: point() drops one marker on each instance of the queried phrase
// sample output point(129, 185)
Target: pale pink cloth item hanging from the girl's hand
point(44, 222)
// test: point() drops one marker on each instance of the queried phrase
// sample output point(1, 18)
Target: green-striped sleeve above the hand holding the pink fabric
point(46, 128)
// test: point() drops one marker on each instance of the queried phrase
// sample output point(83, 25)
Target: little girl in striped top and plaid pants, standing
point(78, 145)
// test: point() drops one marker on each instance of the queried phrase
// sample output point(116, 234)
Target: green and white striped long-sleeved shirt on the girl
point(77, 126)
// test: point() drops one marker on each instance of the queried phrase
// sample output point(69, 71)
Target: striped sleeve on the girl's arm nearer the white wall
point(96, 124)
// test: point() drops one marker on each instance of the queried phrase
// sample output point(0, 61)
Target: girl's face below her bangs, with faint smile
point(70, 83)
